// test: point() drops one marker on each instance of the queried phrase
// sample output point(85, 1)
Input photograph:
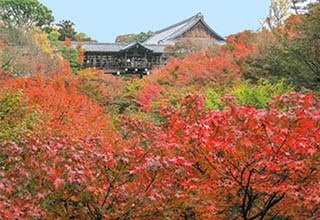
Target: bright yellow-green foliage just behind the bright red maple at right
point(254, 95)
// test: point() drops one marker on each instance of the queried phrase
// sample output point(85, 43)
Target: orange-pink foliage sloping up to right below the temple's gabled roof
point(198, 70)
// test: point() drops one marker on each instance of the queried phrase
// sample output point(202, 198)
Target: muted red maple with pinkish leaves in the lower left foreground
point(85, 178)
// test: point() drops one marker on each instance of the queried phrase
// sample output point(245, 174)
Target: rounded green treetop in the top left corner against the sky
point(24, 13)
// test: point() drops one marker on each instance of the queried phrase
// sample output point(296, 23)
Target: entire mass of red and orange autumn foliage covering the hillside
point(84, 163)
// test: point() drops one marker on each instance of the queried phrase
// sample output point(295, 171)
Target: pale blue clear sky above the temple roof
point(103, 20)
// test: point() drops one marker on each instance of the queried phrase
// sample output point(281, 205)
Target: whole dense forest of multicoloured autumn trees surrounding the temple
point(222, 132)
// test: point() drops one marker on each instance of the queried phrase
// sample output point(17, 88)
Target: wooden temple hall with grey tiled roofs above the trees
point(139, 58)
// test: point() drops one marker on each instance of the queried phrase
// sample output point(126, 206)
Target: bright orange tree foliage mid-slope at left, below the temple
point(63, 109)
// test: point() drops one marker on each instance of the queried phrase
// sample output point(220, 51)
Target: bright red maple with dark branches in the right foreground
point(249, 163)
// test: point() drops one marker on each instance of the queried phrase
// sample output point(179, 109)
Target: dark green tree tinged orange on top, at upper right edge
point(298, 56)
